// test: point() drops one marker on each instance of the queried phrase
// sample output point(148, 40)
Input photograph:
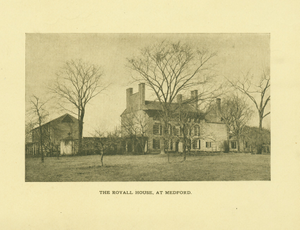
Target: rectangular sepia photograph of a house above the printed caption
point(147, 107)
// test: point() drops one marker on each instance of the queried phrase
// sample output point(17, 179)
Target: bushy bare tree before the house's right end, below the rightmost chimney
point(235, 113)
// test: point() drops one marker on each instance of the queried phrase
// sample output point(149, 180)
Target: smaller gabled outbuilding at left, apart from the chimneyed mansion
point(59, 136)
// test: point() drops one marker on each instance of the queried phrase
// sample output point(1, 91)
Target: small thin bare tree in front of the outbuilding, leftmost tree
point(39, 115)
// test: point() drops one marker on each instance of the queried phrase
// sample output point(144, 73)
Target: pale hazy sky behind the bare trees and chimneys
point(46, 53)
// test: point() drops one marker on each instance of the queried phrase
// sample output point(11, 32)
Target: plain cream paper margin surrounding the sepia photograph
point(213, 205)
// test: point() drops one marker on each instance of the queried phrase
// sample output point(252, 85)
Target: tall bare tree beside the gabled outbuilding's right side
point(78, 83)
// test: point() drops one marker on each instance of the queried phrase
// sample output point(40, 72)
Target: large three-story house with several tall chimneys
point(141, 120)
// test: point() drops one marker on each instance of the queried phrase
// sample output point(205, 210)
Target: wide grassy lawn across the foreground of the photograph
point(217, 167)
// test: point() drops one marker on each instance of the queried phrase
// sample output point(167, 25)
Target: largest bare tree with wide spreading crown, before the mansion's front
point(170, 68)
